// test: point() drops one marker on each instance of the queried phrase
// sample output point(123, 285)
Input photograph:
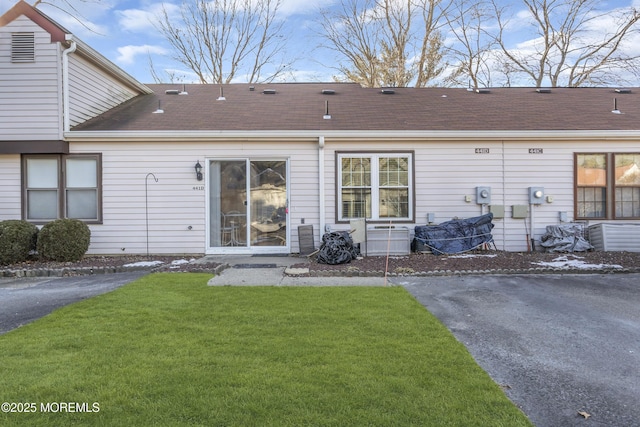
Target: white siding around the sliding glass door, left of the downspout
point(178, 201)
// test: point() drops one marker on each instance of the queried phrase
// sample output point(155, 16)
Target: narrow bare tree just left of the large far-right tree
point(472, 51)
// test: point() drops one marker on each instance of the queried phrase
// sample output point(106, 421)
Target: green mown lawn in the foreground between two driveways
point(169, 350)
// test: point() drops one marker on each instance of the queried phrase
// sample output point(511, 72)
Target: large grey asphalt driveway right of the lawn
point(560, 345)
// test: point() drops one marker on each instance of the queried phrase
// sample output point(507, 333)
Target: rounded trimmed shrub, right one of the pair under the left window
point(63, 240)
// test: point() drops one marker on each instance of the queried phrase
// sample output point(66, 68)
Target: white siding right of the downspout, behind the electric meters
point(447, 173)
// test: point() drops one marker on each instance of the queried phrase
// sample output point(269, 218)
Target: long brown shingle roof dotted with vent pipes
point(301, 106)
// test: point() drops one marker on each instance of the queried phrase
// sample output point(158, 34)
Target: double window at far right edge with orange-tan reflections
point(607, 185)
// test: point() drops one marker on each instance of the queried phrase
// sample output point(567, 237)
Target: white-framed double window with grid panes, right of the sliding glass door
point(376, 186)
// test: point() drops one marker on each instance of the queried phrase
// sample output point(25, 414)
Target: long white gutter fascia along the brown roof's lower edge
point(96, 136)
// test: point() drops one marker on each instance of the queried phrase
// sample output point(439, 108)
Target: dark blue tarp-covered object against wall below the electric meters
point(455, 236)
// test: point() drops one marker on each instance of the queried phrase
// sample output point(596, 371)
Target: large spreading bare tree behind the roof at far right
point(575, 44)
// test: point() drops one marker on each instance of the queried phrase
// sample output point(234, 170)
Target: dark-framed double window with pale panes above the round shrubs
point(62, 186)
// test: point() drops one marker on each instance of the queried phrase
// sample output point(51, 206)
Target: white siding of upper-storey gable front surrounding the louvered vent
point(29, 89)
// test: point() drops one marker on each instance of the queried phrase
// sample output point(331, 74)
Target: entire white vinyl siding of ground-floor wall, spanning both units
point(446, 172)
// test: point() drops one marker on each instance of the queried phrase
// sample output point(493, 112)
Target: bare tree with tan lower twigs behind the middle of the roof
point(386, 42)
